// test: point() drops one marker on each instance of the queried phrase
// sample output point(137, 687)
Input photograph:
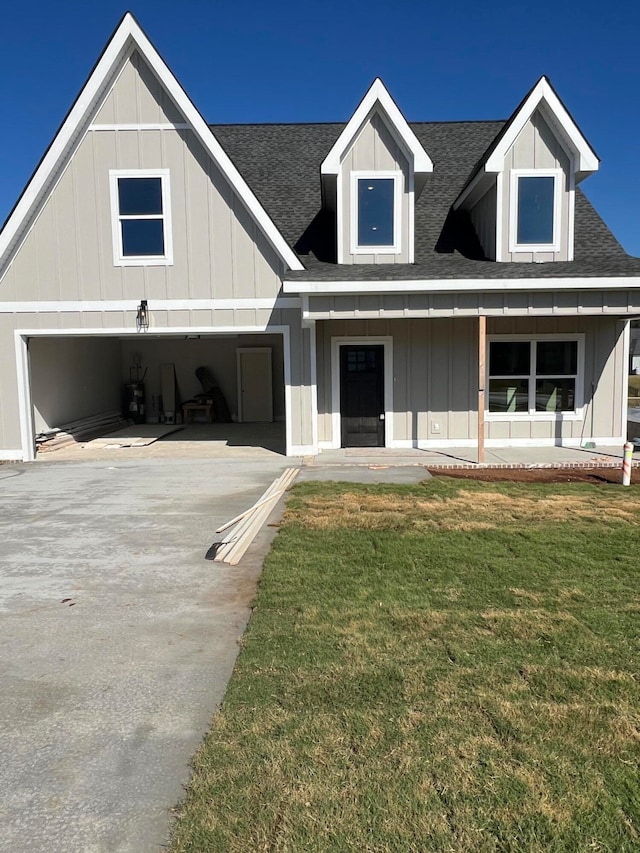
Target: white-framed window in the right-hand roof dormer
point(535, 210)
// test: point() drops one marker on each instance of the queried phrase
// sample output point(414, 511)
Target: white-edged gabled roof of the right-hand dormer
point(545, 98)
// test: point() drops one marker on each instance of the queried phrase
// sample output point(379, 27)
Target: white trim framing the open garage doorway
point(27, 430)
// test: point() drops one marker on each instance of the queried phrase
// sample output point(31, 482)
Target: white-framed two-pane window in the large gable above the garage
point(141, 219)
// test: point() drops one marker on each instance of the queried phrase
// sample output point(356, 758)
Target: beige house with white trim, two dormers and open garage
point(374, 283)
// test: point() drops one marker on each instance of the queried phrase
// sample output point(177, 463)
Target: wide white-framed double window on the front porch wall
point(533, 377)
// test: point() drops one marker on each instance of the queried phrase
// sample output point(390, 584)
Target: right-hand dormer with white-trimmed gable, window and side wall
point(521, 196)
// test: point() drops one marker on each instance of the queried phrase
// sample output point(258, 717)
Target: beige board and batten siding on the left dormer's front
point(374, 150)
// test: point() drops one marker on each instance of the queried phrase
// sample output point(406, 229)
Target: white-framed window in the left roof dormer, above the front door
point(375, 212)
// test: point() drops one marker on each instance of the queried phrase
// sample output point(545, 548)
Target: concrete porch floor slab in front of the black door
point(503, 457)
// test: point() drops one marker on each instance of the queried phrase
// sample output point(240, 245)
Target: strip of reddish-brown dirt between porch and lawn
point(536, 475)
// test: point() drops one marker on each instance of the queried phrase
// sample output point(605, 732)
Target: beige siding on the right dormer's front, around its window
point(536, 147)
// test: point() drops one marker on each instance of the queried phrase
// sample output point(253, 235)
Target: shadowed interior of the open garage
point(73, 378)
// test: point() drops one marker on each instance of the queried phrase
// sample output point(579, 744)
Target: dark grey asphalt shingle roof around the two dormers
point(281, 164)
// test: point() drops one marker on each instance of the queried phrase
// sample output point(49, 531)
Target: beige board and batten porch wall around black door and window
point(435, 391)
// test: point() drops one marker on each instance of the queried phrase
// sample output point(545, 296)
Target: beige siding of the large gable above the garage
point(218, 251)
